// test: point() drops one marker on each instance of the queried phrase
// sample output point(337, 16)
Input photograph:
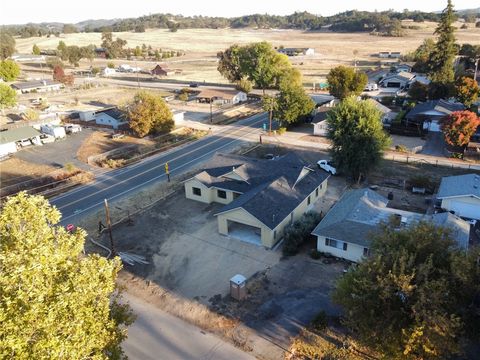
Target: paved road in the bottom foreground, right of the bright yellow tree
point(157, 335)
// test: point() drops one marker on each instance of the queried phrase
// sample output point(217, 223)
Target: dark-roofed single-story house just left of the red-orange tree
point(430, 114)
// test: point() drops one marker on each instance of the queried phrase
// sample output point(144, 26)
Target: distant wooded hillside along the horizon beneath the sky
point(383, 23)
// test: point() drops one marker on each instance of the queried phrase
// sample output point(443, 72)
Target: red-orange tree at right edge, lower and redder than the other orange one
point(459, 126)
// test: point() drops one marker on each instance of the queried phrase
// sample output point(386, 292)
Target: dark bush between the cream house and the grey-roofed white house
point(300, 231)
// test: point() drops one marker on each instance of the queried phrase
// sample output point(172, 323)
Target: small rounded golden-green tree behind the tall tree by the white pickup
point(343, 82)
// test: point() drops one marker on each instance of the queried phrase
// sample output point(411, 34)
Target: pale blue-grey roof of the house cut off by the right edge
point(461, 185)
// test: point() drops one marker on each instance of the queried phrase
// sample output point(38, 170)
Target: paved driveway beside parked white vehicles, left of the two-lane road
point(59, 153)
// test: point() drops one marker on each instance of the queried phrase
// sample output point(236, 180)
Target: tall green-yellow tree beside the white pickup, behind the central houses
point(358, 140)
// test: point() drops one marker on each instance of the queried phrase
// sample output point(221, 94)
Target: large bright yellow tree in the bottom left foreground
point(55, 302)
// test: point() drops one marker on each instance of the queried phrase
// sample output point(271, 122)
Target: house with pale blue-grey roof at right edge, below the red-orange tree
point(460, 195)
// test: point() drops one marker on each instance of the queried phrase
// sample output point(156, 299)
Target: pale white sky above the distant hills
point(68, 11)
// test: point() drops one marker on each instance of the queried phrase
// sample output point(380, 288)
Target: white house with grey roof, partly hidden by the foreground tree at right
point(347, 229)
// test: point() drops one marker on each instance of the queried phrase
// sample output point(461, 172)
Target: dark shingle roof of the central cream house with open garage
point(270, 190)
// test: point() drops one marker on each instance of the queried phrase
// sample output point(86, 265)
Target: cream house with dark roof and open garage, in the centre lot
point(261, 197)
